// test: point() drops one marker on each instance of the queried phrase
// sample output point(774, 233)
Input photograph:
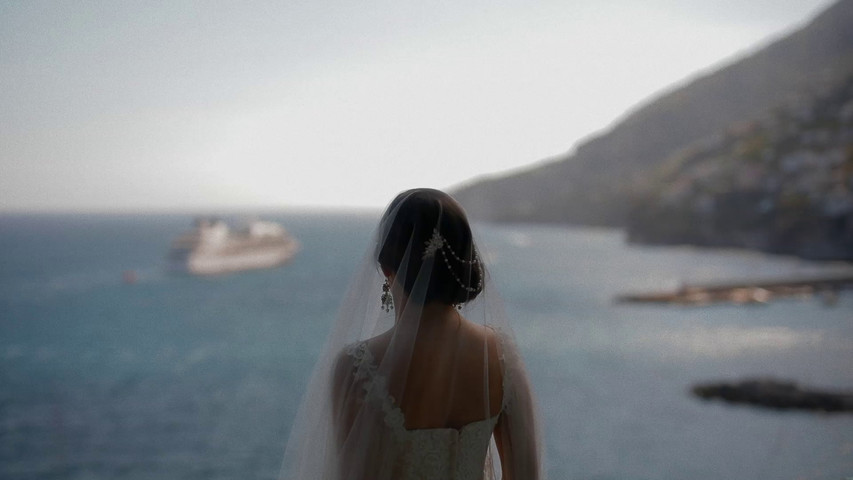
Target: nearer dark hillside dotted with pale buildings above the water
point(781, 183)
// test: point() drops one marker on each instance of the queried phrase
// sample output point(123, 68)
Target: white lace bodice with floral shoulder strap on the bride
point(433, 453)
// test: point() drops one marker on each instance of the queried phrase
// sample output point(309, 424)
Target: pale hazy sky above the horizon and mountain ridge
point(201, 105)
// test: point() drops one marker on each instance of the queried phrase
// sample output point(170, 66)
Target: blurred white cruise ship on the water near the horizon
point(211, 248)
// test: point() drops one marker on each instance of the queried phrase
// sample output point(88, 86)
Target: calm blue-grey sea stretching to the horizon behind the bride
point(180, 377)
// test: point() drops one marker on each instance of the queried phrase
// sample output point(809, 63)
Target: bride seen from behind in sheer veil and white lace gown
point(420, 377)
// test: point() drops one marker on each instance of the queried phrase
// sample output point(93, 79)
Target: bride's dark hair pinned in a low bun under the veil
point(407, 226)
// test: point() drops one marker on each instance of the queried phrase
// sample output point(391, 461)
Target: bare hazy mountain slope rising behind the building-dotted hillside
point(601, 183)
